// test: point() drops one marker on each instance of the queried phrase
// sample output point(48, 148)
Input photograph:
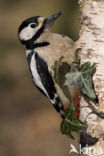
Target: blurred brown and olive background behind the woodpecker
point(29, 125)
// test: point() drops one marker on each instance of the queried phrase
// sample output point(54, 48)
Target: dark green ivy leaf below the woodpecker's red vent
point(71, 123)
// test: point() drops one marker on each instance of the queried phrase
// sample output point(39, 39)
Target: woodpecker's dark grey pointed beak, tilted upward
point(52, 18)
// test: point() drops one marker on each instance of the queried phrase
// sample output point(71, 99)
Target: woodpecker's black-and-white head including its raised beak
point(33, 27)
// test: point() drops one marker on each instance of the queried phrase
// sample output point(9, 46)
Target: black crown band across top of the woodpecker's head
point(28, 21)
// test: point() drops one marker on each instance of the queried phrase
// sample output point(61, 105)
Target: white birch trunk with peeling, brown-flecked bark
point(91, 45)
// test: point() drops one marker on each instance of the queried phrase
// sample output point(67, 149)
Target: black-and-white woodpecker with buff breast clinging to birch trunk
point(43, 48)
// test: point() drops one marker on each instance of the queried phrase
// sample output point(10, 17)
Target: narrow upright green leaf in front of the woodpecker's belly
point(56, 67)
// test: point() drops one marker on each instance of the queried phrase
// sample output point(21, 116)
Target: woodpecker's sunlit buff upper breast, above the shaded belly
point(55, 50)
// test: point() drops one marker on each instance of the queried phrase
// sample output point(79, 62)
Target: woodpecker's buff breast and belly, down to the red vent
point(59, 46)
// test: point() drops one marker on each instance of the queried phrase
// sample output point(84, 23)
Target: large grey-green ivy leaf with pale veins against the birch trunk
point(82, 79)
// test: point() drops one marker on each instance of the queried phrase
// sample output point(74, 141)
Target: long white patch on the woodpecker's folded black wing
point(35, 75)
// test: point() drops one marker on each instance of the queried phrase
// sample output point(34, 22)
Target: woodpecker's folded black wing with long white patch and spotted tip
point(43, 80)
